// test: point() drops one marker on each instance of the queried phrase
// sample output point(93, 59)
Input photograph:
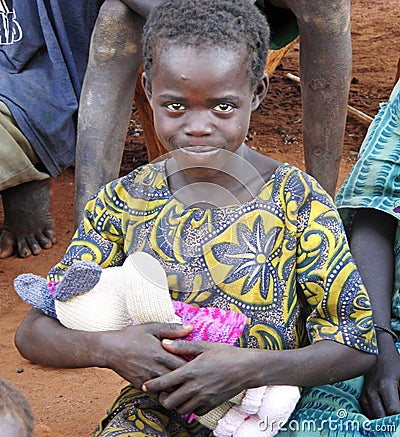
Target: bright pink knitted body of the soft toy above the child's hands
point(211, 324)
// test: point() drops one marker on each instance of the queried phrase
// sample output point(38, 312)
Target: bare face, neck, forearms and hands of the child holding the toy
point(209, 113)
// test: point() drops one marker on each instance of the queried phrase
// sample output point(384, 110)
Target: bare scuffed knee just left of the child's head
point(117, 33)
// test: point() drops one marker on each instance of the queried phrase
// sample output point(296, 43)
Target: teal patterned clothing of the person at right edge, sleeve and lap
point(374, 182)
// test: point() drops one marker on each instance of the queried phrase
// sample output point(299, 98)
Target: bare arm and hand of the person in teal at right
point(372, 238)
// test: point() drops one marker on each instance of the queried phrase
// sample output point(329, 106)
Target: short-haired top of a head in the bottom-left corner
point(15, 404)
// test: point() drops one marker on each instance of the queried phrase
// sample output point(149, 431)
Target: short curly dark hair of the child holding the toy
point(230, 24)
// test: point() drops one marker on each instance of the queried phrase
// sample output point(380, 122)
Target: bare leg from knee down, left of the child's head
point(106, 101)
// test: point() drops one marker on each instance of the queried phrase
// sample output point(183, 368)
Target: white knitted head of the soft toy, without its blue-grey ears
point(136, 292)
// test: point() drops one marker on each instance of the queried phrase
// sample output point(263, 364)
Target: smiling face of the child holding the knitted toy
point(202, 101)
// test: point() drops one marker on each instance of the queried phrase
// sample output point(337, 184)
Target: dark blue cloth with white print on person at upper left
point(44, 48)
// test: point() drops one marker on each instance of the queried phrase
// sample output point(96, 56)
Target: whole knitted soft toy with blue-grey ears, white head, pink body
point(94, 299)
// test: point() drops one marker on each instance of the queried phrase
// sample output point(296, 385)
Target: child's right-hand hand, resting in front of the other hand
point(217, 373)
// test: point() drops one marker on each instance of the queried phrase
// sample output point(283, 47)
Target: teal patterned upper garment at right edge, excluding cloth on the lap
point(374, 181)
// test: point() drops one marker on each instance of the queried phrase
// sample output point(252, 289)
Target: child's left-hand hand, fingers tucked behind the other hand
point(136, 353)
